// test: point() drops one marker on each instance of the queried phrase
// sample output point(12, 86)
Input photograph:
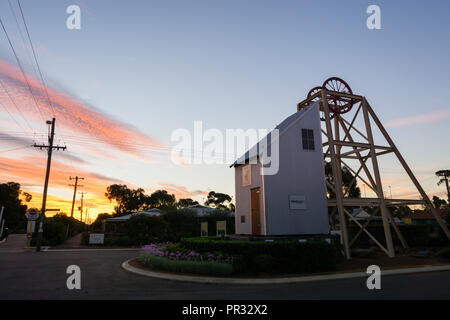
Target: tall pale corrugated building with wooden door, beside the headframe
point(293, 201)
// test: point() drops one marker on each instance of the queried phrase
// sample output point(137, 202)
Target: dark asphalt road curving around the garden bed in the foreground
point(31, 275)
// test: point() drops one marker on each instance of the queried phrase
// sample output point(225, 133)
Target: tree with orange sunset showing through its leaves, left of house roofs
point(128, 200)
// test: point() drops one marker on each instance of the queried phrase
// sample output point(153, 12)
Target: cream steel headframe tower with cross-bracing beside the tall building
point(333, 148)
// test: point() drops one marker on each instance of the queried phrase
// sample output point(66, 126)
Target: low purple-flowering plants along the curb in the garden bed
point(185, 266)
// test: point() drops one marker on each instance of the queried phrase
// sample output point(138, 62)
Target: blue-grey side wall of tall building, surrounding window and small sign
point(301, 172)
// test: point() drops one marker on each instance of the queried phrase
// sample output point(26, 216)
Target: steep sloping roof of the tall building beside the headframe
point(257, 149)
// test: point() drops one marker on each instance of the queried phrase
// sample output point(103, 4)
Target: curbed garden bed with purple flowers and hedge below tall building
point(263, 260)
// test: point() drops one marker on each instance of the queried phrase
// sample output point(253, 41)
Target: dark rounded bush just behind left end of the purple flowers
point(142, 229)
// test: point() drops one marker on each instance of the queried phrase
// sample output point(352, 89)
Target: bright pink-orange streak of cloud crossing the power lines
point(73, 114)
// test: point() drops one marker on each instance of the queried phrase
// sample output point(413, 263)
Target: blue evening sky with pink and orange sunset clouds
point(138, 70)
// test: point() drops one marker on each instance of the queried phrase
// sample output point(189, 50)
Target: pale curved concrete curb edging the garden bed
point(216, 280)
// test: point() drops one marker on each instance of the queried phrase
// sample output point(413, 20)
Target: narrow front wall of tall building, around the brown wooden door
point(243, 199)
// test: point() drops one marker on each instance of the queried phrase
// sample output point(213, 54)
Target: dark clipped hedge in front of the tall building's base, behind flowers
point(270, 257)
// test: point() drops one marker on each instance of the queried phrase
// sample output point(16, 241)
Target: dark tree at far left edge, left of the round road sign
point(14, 209)
